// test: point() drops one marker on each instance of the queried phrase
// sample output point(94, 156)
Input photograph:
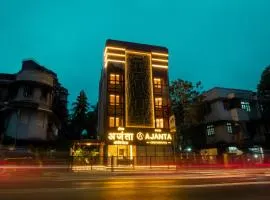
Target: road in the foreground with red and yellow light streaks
point(139, 187)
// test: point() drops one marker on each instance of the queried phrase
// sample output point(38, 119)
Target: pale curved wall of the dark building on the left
point(31, 123)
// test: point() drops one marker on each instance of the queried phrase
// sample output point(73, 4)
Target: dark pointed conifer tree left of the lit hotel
point(79, 115)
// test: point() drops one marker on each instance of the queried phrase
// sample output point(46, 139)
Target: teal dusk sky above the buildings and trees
point(220, 42)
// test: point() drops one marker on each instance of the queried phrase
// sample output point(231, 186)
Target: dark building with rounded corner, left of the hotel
point(26, 100)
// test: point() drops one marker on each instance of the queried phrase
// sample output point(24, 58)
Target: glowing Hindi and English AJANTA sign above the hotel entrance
point(140, 137)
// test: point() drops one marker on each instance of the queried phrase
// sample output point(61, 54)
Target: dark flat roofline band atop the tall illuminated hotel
point(136, 46)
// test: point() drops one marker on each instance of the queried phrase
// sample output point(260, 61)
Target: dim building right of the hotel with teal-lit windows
point(233, 118)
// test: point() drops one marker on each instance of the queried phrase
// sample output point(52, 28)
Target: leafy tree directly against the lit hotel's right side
point(187, 106)
